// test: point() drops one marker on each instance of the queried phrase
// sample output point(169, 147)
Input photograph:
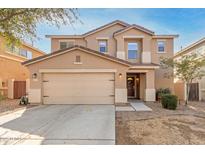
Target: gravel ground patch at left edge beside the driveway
point(9, 105)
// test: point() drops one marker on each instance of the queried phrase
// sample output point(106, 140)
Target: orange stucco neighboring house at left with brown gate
point(13, 75)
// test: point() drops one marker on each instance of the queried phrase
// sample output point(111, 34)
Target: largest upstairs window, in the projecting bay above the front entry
point(132, 50)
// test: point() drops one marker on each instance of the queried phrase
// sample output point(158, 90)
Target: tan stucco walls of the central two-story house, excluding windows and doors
point(117, 34)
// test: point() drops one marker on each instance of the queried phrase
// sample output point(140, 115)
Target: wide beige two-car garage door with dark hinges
point(78, 88)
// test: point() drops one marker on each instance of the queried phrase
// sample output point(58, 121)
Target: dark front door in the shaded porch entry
point(133, 85)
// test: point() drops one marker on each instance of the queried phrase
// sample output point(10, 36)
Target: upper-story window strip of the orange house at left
point(19, 51)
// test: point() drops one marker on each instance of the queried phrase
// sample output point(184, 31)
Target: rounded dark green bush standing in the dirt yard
point(169, 101)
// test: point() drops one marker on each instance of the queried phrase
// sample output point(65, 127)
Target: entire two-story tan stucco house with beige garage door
point(107, 65)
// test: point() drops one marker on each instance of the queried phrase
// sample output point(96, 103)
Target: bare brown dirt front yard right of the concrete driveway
point(186, 125)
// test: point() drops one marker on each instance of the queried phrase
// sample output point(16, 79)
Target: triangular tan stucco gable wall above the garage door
point(67, 60)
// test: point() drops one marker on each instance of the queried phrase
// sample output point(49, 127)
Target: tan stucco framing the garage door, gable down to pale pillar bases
point(66, 61)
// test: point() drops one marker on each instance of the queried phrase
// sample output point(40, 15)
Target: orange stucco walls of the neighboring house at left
point(11, 67)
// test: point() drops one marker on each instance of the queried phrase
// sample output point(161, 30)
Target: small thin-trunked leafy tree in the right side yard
point(187, 69)
